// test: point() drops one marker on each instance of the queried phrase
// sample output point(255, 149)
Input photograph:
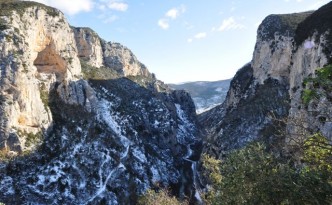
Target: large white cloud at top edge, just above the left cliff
point(71, 7)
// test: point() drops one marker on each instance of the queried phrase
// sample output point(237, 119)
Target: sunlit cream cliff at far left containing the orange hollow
point(34, 55)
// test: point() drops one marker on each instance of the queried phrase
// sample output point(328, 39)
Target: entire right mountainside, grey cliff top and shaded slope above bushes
point(289, 48)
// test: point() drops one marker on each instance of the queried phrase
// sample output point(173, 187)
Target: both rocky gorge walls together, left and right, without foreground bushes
point(83, 121)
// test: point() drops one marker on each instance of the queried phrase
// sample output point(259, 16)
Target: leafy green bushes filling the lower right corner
point(253, 176)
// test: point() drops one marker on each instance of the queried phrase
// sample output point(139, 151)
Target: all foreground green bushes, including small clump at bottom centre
point(253, 175)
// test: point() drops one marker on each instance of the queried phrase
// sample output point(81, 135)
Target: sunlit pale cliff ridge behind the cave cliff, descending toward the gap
point(109, 60)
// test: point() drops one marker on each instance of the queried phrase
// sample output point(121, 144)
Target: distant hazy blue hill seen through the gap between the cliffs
point(206, 94)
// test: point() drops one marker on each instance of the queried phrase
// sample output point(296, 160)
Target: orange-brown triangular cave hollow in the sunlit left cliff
point(49, 61)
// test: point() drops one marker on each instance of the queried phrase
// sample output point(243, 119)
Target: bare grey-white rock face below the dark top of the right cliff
point(280, 58)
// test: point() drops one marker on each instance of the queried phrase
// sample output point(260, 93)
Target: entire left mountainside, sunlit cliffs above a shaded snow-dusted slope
point(69, 140)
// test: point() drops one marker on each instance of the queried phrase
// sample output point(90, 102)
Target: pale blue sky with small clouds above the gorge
point(182, 40)
